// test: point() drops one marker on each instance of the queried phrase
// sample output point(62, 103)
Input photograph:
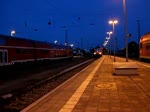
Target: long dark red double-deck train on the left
point(13, 49)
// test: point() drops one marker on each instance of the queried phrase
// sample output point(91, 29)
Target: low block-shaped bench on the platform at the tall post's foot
point(125, 68)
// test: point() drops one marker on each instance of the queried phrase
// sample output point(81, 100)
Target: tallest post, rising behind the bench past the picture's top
point(125, 29)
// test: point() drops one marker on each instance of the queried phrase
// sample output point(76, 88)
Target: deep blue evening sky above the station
point(25, 16)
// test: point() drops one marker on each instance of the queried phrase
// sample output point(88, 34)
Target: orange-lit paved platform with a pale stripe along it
point(97, 89)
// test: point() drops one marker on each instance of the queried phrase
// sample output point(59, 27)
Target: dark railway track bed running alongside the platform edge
point(24, 95)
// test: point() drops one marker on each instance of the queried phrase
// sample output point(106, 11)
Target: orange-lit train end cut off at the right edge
point(145, 46)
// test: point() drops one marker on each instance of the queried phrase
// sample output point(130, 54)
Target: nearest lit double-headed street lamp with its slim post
point(113, 22)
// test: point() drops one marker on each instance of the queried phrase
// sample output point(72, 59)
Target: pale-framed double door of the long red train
point(3, 57)
